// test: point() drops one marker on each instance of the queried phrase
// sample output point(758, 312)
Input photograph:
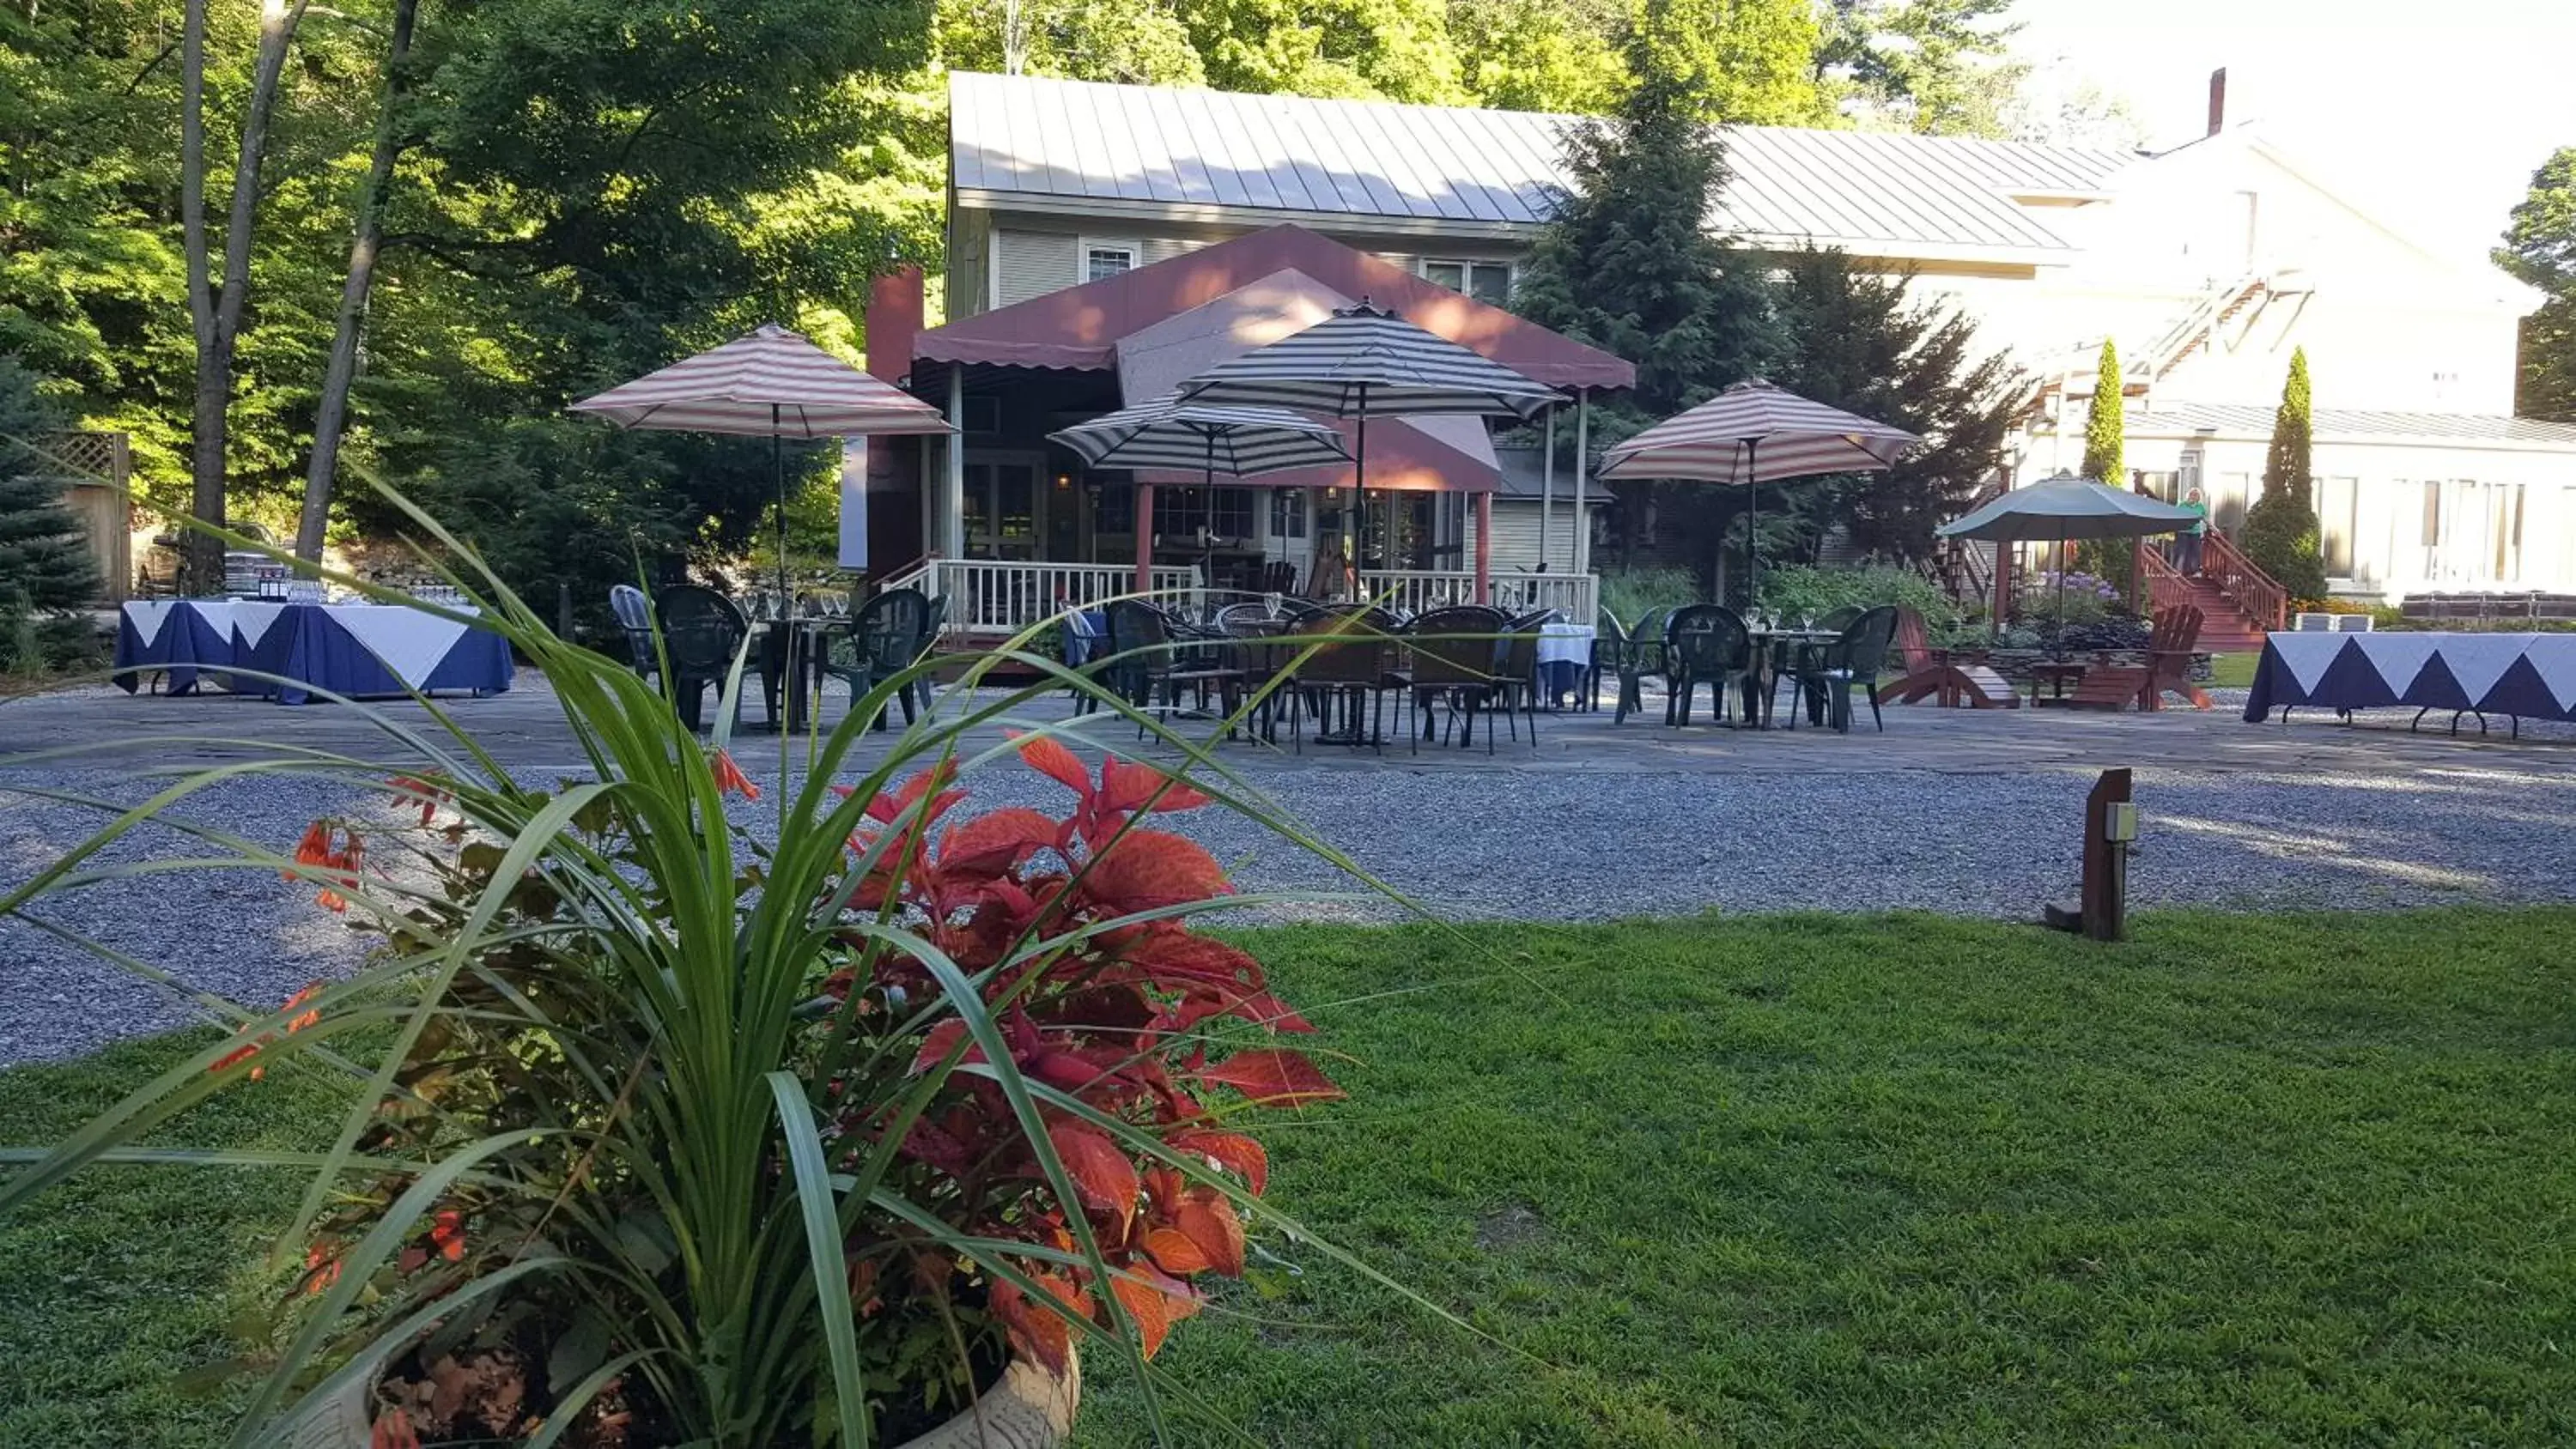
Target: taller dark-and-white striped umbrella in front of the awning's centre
point(1369, 364)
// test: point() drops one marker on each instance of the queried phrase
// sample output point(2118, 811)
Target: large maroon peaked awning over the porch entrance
point(1081, 326)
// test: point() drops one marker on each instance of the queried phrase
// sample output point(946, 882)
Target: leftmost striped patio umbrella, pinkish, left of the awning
point(769, 385)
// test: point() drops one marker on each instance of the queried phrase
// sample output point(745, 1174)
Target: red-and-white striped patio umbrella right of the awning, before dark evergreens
point(1758, 434)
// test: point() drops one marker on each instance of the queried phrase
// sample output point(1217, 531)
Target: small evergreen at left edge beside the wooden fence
point(45, 562)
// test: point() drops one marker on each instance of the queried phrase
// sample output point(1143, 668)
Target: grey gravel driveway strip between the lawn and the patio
point(1488, 840)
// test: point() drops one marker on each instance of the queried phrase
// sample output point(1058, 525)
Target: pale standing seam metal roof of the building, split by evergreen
point(1073, 140)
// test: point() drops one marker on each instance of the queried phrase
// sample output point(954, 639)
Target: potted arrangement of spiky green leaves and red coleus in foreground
point(679, 1129)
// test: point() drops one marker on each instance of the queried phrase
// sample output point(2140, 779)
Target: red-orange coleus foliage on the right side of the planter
point(1101, 992)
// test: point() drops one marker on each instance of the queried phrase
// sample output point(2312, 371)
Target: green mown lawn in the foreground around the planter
point(1766, 1180)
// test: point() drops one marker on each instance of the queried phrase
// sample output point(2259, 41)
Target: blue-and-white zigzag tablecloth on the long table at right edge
point(2526, 676)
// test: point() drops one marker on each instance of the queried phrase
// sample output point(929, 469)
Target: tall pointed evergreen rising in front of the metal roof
point(1629, 264)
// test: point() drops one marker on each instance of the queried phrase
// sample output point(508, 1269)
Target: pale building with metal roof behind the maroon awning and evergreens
point(2206, 264)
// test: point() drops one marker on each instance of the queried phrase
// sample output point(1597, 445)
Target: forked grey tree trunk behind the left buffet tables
point(220, 326)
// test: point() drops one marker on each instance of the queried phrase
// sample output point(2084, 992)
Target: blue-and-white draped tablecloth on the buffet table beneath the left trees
point(349, 650)
